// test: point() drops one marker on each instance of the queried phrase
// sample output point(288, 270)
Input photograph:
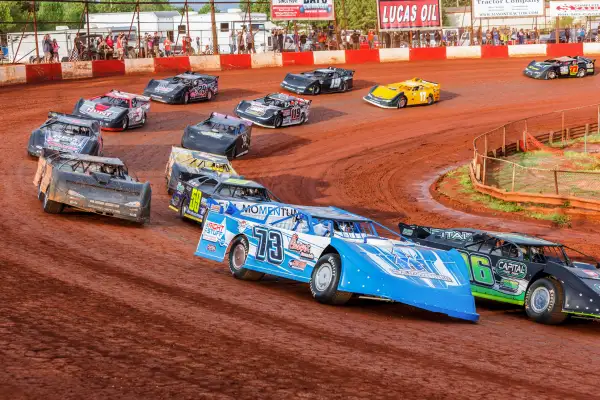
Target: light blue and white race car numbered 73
point(339, 254)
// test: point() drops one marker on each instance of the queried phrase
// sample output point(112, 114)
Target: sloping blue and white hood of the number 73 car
point(431, 279)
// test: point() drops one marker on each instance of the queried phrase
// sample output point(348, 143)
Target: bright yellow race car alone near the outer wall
point(399, 95)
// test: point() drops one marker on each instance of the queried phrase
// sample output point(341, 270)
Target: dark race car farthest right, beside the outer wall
point(561, 67)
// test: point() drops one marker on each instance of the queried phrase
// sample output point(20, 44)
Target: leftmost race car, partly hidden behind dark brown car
point(68, 133)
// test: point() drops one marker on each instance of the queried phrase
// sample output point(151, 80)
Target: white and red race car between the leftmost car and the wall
point(115, 110)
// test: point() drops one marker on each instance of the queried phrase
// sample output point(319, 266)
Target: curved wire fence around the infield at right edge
point(549, 133)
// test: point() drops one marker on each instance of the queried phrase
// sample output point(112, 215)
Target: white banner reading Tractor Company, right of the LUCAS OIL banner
point(507, 8)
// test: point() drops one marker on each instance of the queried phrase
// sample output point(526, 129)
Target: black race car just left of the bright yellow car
point(323, 80)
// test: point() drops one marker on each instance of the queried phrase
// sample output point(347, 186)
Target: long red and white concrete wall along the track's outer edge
point(35, 73)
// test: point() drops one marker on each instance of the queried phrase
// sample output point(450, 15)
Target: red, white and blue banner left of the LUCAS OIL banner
point(283, 10)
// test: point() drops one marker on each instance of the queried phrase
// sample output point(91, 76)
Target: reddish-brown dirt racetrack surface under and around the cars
point(93, 308)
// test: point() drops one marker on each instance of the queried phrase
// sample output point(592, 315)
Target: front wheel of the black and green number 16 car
point(544, 300)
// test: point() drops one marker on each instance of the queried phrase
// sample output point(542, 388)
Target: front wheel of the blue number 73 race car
point(325, 279)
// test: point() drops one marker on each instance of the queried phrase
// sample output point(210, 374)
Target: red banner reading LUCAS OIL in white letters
point(409, 14)
